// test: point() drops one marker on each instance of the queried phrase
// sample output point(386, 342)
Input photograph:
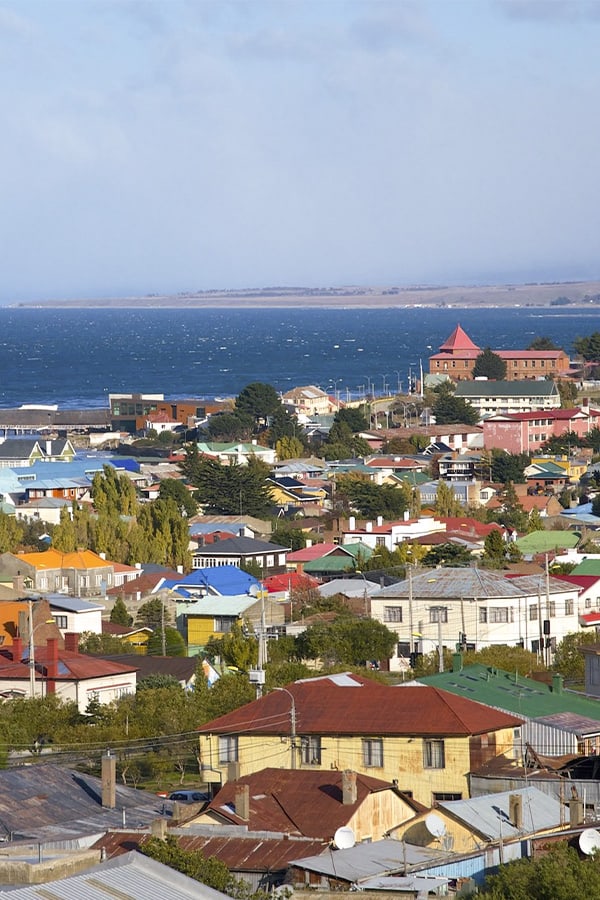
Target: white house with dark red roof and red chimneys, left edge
point(69, 674)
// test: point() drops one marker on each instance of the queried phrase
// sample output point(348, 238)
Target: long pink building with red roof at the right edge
point(527, 432)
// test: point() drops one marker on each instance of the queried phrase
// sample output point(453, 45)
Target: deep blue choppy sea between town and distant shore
point(76, 357)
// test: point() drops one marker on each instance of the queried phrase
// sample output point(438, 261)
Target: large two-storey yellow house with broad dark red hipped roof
point(423, 739)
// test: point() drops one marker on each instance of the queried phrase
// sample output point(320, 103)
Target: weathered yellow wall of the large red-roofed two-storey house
point(402, 760)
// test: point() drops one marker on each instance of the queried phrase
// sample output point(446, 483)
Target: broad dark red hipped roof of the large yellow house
point(352, 705)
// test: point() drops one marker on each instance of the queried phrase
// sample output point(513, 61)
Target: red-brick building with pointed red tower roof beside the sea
point(456, 358)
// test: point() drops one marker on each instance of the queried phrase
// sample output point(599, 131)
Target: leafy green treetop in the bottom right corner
point(559, 874)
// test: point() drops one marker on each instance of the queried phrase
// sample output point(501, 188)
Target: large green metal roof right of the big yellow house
point(513, 693)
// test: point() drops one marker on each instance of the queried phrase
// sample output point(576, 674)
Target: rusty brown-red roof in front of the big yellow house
point(295, 801)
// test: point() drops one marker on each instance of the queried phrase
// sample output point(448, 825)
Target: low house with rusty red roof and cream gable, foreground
point(310, 803)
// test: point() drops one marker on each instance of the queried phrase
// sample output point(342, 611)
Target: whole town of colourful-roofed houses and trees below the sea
point(332, 644)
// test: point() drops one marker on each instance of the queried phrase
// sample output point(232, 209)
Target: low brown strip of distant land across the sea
point(568, 293)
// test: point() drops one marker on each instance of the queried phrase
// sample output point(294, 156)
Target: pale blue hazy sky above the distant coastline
point(166, 146)
